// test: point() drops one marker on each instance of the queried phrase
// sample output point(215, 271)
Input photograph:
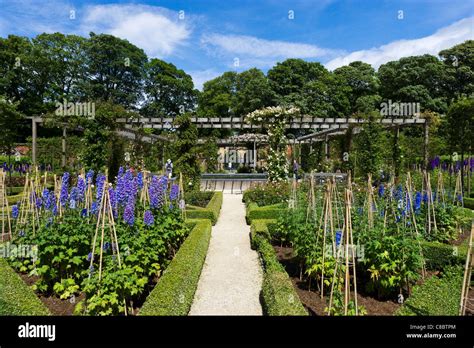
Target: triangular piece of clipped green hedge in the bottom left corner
point(17, 298)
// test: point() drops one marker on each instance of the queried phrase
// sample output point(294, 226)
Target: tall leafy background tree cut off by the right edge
point(459, 65)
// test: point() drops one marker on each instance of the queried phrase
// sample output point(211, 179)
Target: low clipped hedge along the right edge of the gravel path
point(279, 297)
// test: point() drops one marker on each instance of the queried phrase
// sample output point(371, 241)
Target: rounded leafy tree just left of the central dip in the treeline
point(170, 91)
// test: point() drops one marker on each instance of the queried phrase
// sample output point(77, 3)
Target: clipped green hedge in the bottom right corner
point(436, 296)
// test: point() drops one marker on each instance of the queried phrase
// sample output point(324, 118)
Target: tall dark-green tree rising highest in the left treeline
point(115, 70)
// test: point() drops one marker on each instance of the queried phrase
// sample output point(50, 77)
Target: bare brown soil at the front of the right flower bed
point(312, 301)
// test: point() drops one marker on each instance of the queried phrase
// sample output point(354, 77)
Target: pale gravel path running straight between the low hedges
point(231, 278)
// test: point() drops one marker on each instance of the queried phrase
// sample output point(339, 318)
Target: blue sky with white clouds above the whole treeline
point(208, 37)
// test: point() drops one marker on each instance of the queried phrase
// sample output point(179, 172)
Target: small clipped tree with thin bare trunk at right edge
point(460, 119)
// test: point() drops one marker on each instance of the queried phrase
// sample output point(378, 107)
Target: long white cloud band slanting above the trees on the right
point(443, 38)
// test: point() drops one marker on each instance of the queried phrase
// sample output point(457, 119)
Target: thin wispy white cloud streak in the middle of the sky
point(249, 46)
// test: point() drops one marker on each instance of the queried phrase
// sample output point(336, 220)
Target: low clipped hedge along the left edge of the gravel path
point(174, 292)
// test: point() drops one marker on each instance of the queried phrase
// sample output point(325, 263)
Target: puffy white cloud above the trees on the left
point(158, 31)
